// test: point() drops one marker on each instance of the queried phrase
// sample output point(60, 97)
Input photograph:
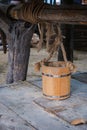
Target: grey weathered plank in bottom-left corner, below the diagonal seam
point(9, 120)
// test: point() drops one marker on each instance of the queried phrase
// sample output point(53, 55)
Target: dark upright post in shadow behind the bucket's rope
point(67, 31)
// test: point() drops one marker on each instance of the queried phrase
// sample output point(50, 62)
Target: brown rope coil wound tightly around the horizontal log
point(28, 12)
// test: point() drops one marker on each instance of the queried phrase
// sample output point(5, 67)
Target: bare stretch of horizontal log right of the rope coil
point(70, 14)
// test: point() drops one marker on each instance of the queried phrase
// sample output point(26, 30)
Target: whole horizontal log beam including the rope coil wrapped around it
point(31, 12)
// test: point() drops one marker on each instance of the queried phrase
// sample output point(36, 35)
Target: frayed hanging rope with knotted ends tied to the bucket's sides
point(58, 42)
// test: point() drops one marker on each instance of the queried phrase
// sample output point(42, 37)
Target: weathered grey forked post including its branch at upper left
point(18, 37)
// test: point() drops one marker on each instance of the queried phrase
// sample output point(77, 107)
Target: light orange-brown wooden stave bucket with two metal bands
point(56, 80)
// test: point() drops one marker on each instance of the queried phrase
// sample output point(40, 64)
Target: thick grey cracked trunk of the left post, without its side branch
point(19, 51)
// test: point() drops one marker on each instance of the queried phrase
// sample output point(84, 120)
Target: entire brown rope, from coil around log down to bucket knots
point(33, 13)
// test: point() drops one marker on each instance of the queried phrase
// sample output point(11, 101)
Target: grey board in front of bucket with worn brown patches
point(68, 110)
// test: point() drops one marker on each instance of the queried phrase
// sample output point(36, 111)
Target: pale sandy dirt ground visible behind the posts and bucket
point(80, 60)
